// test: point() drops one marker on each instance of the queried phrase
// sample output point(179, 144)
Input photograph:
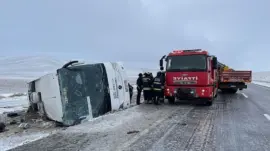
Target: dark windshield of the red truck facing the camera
point(187, 63)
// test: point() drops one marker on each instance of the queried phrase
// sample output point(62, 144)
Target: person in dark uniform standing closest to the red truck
point(157, 88)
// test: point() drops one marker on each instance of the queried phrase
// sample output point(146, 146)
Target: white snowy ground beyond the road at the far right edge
point(261, 78)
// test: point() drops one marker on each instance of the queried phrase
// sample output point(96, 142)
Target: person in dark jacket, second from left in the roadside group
point(147, 87)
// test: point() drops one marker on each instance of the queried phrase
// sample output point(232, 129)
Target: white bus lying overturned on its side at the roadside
point(75, 93)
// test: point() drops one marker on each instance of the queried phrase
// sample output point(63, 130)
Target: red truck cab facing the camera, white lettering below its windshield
point(190, 74)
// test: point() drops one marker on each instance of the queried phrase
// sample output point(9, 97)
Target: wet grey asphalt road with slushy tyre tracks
point(234, 123)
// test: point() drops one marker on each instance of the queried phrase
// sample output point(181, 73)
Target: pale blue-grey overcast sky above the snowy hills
point(137, 32)
